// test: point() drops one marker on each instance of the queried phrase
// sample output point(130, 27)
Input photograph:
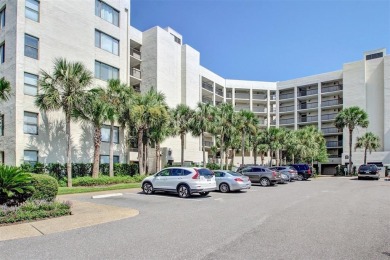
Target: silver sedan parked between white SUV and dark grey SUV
point(230, 181)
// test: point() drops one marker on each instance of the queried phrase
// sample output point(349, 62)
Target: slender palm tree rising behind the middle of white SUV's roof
point(181, 118)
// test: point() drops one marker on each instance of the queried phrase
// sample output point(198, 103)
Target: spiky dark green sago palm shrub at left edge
point(14, 185)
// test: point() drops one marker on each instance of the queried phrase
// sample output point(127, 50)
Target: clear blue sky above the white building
point(271, 40)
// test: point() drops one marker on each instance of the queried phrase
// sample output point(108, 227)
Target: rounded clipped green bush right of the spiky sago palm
point(46, 187)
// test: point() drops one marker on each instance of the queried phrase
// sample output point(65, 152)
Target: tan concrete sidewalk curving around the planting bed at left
point(84, 214)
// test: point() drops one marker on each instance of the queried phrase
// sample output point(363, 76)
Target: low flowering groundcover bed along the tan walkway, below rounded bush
point(32, 210)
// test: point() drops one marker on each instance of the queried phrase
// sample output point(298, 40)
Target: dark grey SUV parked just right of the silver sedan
point(262, 175)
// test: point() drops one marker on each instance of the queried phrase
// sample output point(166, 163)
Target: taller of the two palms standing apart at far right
point(351, 118)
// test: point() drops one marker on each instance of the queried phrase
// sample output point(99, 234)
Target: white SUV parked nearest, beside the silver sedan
point(182, 180)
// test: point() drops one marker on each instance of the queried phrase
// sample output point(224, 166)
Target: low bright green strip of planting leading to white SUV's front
point(105, 180)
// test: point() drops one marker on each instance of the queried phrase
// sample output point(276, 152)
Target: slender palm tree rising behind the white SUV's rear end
point(201, 123)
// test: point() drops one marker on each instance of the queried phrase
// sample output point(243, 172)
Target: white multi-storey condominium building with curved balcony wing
point(97, 33)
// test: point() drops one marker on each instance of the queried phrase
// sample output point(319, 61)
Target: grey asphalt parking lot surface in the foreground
point(323, 218)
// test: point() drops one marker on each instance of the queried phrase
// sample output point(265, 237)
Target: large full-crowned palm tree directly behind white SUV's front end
point(142, 113)
